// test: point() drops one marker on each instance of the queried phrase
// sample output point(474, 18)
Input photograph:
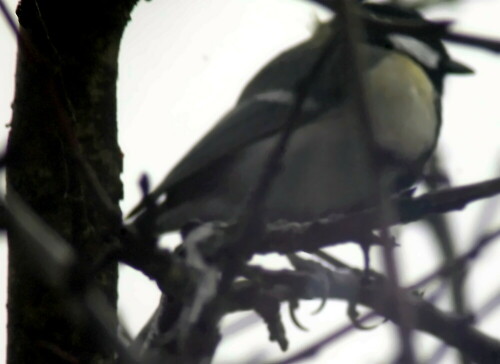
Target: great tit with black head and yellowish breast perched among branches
point(324, 168)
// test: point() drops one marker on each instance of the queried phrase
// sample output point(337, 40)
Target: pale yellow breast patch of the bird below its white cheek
point(403, 108)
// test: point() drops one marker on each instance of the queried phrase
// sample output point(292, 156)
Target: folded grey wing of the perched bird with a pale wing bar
point(261, 112)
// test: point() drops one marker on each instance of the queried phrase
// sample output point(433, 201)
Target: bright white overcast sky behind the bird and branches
point(182, 66)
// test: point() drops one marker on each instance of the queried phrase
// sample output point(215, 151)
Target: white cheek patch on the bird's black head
point(417, 49)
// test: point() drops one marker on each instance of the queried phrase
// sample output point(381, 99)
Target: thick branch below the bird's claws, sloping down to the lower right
point(288, 285)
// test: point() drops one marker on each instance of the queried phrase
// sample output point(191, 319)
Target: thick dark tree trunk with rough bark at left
point(64, 105)
